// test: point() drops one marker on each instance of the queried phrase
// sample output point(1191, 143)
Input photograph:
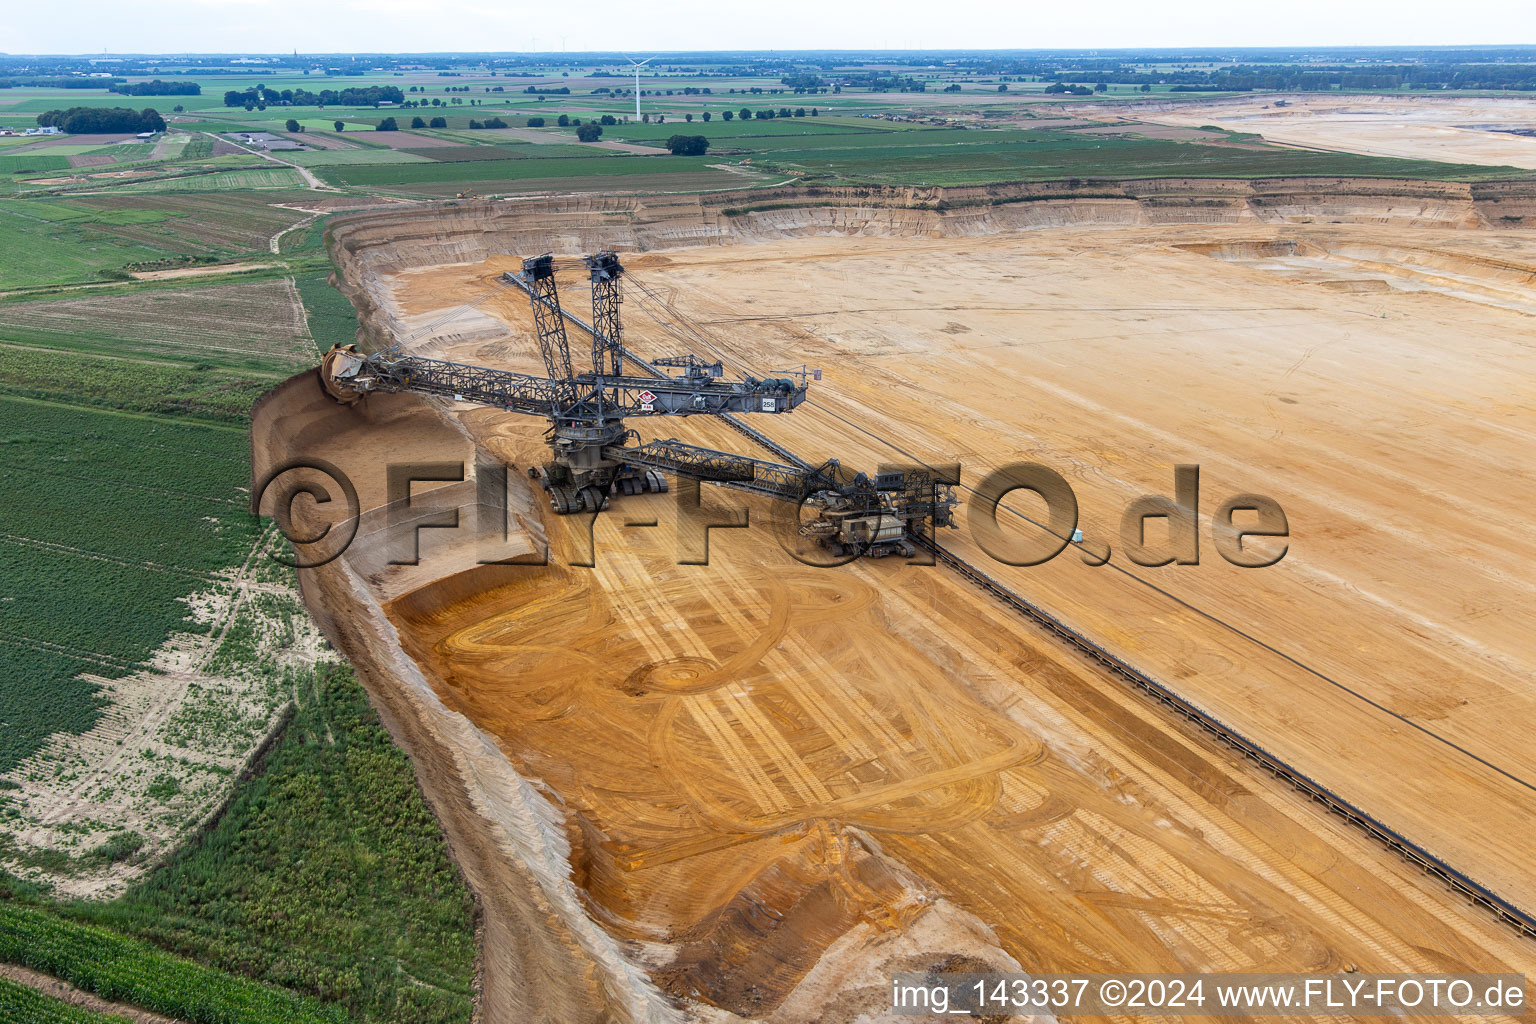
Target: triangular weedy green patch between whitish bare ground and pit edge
point(343, 891)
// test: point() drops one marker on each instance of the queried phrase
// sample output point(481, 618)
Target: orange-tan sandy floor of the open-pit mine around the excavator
point(760, 787)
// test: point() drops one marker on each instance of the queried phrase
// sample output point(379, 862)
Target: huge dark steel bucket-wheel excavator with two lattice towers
point(595, 455)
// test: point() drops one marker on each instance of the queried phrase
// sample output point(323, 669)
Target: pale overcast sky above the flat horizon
point(164, 27)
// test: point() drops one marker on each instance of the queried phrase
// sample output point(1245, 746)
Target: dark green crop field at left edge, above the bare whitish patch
point(110, 521)
